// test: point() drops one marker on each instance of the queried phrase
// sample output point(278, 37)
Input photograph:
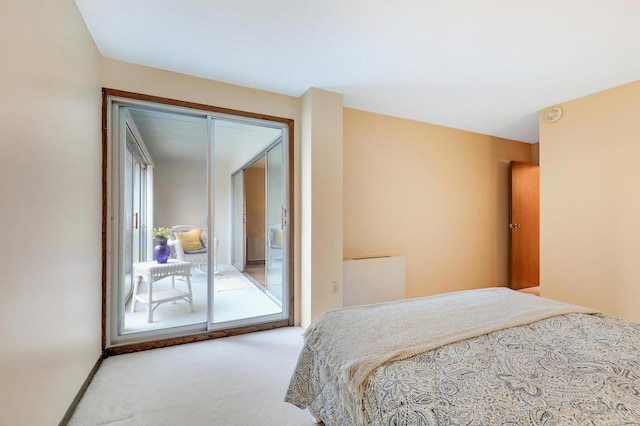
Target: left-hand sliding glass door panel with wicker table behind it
point(158, 160)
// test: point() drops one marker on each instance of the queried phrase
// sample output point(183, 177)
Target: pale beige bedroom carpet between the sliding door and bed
point(238, 380)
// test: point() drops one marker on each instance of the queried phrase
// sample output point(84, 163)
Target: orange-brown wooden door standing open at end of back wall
point(524, 250)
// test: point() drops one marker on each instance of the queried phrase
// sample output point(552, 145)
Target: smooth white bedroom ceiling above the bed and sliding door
point(483, 66)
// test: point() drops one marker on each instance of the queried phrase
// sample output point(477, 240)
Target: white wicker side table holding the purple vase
point(152, 272)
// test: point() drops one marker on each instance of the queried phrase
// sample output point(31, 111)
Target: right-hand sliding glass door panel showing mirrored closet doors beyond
point(254, 270)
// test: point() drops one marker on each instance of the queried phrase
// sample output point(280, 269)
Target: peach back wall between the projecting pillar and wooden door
point(437, 196)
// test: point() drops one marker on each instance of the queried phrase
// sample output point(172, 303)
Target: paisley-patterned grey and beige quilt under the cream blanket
point(573, 369)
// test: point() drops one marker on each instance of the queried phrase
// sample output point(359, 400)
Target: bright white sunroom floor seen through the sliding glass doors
point(235, 297)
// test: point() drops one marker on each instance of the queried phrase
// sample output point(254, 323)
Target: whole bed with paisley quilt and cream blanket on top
point(480, 357)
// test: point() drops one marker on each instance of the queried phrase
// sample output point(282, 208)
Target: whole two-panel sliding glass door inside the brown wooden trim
point(217, 185)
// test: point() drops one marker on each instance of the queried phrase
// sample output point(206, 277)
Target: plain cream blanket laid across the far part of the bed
point(348, 344)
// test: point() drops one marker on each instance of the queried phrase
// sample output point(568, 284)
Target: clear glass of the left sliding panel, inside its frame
point(165, 186)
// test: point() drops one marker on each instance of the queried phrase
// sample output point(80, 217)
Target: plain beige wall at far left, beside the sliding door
point(50, 210)
